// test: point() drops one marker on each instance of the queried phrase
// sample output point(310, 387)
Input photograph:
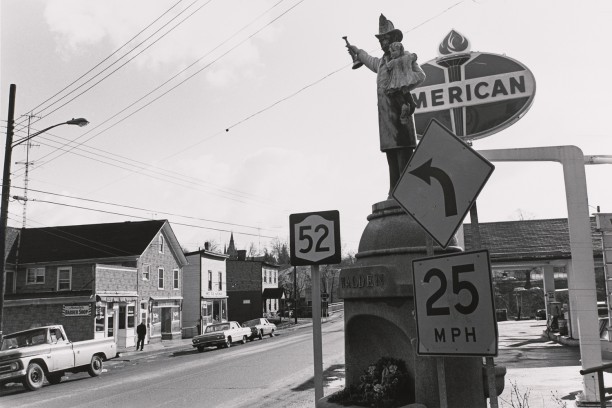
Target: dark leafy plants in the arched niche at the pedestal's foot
point(384, 384)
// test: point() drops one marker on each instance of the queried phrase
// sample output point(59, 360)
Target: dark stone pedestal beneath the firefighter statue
point(379, 314)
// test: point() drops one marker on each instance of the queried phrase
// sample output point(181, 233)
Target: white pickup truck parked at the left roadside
point(32, 355)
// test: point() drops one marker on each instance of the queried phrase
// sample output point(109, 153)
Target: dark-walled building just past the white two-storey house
point(252, 288)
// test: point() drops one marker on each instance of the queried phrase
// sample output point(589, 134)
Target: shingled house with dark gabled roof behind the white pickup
point(97, 280)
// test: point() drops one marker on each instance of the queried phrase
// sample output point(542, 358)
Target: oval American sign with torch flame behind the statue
point(474, 94)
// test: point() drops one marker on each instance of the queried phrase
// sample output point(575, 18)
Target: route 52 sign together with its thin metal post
point(315, 240)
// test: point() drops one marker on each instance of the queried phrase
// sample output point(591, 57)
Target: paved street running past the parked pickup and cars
point(270, 372)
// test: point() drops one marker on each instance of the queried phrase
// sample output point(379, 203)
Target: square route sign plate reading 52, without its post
point(315, 238)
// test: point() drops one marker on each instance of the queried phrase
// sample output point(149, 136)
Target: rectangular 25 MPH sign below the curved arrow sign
point(454, 306)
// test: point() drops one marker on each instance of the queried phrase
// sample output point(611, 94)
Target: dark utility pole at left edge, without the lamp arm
point(6, 181)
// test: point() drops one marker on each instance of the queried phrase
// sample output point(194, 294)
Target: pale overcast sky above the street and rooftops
point(228, 116)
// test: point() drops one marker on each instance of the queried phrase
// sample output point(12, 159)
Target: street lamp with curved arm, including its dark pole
point(6, 184)
